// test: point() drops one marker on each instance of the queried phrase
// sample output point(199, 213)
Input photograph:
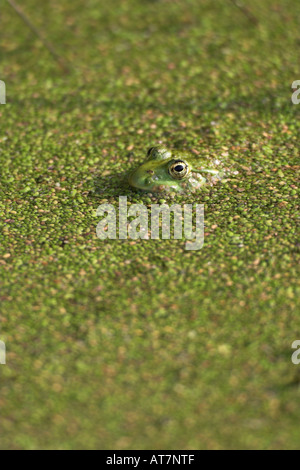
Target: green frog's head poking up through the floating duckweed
point(166, 170)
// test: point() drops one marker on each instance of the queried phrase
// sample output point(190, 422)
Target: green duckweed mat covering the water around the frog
point(141, 344)
